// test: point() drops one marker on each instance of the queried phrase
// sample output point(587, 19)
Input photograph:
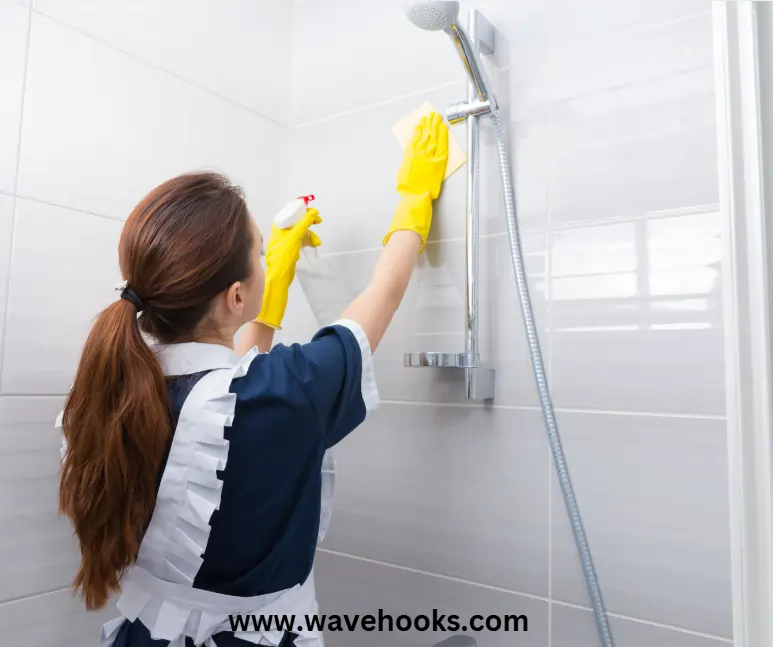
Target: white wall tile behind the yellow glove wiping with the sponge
point(351, 164)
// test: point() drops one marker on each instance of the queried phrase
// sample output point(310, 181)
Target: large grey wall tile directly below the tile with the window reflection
point(653, 496)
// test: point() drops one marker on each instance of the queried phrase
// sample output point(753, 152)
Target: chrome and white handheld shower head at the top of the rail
point(442, 15)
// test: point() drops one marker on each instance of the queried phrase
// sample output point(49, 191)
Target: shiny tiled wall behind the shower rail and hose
point(456, 507)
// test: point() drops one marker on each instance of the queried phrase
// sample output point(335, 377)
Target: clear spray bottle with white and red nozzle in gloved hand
point(324, 289)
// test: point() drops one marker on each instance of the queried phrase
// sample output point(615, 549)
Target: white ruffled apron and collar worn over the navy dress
point(158, 589)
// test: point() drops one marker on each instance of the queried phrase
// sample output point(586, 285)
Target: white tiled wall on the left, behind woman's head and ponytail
point(100, 101)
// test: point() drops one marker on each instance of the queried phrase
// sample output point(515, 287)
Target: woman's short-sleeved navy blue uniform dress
point(292, 405)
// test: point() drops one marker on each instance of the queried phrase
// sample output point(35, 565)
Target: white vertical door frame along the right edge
point(744, 90)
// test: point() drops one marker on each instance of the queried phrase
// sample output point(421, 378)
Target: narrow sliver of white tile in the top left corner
point(13, 48)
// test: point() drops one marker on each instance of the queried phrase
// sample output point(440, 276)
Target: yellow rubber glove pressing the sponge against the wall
point(420, 177)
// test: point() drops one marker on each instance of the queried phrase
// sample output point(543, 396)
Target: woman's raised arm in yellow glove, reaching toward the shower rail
point(418, 183)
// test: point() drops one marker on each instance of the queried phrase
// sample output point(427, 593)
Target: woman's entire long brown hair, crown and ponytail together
point(185, 242)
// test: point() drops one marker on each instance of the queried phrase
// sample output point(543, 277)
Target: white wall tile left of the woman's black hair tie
point(64, 269)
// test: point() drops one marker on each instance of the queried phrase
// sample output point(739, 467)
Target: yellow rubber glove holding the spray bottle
point(282, 254)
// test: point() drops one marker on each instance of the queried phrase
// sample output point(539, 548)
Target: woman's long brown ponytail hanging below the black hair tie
point(117, 426)
